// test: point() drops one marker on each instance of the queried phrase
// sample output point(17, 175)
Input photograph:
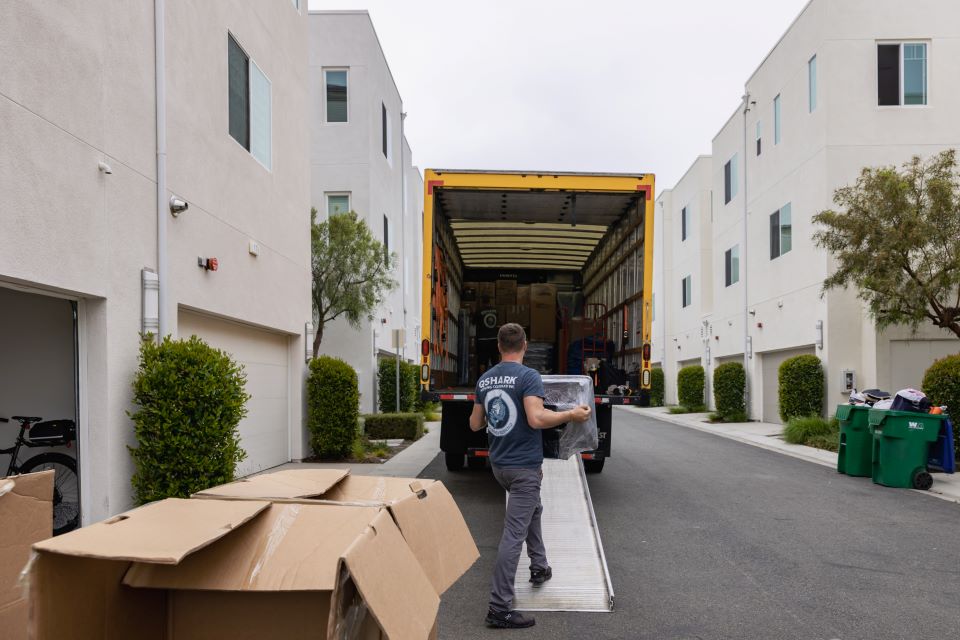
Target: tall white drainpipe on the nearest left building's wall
point(162, 207)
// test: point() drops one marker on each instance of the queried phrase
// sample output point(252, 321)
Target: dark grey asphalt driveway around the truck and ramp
point(711, 538)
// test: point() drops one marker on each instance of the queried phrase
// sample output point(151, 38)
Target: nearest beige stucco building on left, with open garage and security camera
point(95, 145)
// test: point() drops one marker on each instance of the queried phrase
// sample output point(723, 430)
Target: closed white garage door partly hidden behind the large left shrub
point(264, 433)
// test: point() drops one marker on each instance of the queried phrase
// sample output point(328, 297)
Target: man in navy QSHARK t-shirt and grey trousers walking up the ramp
point(510, 405)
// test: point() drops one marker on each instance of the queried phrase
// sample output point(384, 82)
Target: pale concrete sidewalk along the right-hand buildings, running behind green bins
point(769, 436)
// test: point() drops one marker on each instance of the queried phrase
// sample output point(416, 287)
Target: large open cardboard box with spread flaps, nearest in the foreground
point(237, 569)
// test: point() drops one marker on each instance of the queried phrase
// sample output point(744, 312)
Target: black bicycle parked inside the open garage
point(66, 483)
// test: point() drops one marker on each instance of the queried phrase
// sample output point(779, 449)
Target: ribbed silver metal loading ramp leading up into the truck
point(581, 579)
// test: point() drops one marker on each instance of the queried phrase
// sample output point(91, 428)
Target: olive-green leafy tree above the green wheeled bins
point(896, 240)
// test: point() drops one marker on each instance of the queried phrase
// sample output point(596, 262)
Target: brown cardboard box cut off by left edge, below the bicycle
point(26, 517)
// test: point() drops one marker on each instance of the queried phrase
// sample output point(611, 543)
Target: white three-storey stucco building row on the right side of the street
point(852, 83)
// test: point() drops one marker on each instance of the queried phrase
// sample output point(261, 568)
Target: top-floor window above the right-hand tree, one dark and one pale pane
point(902, 74)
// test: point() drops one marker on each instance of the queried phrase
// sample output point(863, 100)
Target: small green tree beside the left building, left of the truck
point(351, 271)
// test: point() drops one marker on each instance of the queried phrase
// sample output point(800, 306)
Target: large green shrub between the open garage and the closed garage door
point(191, 398)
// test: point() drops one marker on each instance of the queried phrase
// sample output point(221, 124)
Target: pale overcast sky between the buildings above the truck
point(606, 85)
